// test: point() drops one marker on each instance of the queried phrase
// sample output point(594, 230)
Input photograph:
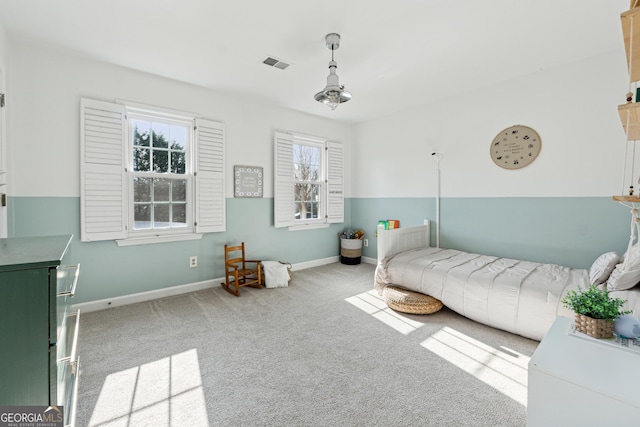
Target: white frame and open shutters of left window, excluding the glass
point(105, 189)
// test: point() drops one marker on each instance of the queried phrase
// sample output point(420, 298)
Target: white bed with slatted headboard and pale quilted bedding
point(521, 297)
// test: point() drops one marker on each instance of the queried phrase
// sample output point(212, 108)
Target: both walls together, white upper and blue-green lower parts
point(477, 213)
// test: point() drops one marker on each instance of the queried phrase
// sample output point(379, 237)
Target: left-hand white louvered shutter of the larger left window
point(103, 201)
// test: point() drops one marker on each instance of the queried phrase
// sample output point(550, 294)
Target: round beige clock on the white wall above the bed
point(515, 147)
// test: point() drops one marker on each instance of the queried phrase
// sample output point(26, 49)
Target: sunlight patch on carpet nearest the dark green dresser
point(165, 392)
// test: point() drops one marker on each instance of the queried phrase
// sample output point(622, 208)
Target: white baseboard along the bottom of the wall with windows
point(102, 304)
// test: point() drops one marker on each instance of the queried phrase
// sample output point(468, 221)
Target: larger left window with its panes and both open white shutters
point(149, 176)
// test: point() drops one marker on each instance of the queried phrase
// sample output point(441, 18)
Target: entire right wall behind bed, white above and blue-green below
point(556, 210)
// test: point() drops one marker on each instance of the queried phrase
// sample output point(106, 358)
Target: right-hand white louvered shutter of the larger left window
point(209, 176)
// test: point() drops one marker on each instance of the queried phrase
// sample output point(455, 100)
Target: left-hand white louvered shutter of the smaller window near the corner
point(283, 200)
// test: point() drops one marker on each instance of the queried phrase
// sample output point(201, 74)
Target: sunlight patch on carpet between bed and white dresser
point(505, 370)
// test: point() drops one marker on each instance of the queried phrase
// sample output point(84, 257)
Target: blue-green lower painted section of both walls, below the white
point(565, 231)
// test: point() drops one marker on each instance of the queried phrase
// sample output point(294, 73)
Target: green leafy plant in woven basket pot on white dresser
point(595, 310)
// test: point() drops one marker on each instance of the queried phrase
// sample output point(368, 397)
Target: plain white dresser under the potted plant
point(578, 381)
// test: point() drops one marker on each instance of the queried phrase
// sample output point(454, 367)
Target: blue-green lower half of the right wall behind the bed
point(570, 231)
